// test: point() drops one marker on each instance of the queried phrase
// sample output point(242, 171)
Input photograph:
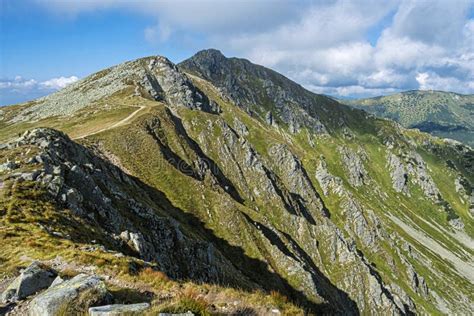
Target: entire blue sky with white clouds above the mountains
point(342, 48)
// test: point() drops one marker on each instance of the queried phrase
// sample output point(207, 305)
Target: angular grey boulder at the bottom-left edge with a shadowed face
point(31, 280)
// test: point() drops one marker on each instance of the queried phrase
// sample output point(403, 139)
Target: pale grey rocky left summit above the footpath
point(152, 77)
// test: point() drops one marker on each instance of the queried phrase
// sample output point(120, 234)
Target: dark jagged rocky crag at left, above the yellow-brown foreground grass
point(91, 188)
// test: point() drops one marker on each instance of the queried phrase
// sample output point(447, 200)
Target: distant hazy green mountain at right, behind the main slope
point(443, 114)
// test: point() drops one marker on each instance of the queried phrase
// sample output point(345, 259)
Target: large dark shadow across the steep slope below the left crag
point(254, 273)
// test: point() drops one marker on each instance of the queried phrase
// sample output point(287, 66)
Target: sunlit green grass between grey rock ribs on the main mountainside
point(201, 198)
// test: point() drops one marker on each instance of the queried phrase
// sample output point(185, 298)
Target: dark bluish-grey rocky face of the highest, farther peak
point(254, 88)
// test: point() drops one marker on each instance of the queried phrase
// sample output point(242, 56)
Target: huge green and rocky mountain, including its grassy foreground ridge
point(220, 186)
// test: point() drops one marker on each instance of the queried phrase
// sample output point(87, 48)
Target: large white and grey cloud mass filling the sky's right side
point(337, 47)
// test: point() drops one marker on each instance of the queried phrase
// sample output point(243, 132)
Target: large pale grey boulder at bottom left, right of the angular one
point(72, 297)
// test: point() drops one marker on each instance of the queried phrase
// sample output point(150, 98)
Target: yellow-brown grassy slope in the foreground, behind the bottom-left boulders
point(26, 216)
